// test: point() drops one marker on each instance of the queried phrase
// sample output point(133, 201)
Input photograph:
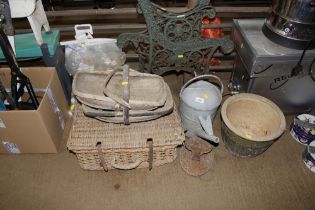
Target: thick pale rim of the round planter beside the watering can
point(253, 97)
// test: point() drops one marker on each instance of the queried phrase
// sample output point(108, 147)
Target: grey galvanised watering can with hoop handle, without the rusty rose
point(199, 101)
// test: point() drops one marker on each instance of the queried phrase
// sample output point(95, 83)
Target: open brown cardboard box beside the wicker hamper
point(35, 131)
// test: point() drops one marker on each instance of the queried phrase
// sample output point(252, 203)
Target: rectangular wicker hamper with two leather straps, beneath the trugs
point(104, 146)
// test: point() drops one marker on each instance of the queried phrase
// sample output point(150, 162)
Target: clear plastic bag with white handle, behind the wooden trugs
point(89, 54)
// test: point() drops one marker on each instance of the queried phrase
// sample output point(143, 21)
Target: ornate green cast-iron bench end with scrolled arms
point(173, 41)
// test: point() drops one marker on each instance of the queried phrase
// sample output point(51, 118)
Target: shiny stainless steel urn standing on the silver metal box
point(291, 23)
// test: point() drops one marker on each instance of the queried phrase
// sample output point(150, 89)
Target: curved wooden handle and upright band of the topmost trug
point(125, 100)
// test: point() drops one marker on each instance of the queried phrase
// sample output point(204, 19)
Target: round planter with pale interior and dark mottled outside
point(250, 124)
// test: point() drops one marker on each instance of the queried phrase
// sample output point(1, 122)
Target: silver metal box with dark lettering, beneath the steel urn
point(264, 67)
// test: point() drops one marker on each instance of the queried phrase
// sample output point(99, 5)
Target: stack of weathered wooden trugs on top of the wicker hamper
point(122, 95)
